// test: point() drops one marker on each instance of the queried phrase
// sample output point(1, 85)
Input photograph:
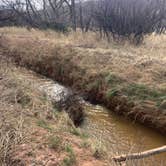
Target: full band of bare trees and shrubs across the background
point(116, 19)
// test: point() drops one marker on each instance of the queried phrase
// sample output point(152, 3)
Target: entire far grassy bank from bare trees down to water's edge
point(127, 79)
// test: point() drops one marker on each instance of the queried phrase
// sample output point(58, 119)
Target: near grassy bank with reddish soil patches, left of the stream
point(32, 131)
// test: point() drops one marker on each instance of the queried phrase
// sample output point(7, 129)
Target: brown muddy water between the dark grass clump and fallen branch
point(120, 135)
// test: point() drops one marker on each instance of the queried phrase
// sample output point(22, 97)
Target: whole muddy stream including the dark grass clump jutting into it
point(113, 132)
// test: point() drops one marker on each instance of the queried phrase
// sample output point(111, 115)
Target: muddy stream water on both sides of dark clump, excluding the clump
point(115, 133)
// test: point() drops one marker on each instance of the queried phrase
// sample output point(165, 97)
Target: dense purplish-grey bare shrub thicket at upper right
point(130, 18)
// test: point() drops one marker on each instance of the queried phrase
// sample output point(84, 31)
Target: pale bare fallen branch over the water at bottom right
point(140, 155)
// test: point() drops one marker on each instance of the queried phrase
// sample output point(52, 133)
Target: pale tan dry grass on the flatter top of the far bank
point(144, 64)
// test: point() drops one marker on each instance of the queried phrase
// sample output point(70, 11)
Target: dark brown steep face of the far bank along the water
point(92, 87)
